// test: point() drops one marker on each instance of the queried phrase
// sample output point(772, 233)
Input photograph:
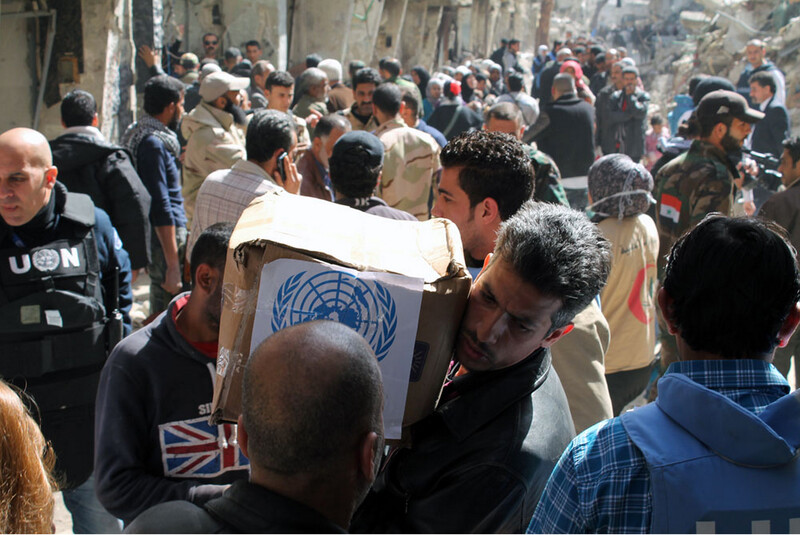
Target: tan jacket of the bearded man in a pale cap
point(213, 142)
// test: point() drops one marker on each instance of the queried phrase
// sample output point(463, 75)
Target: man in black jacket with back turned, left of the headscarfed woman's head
point(569, 137)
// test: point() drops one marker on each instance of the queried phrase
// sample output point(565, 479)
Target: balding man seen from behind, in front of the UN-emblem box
point(311, 425)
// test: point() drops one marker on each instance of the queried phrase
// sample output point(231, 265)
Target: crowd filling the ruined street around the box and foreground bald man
point(608, 269)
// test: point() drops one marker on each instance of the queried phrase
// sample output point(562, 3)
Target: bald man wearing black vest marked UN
point(64, 302)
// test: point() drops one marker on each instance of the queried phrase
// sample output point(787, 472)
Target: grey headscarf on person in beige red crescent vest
point(619, 187)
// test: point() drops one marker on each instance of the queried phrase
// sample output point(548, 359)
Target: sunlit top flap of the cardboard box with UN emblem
point(375, 243)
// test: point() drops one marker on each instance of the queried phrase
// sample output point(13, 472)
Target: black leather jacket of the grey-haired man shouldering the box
point(480, 462)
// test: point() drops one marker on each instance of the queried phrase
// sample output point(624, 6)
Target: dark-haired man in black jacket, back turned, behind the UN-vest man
point(88, 164)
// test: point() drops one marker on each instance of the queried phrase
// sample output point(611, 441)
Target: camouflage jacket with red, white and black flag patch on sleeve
point(688, 188)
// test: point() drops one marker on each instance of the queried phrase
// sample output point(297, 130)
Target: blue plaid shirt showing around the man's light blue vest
point(602, 484)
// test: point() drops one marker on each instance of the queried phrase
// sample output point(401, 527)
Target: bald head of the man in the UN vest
point(27, 175)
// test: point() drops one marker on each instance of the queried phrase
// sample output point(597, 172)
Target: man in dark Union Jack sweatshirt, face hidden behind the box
point(153, 442)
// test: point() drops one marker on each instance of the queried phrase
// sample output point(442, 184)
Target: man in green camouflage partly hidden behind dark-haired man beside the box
point(505, 117)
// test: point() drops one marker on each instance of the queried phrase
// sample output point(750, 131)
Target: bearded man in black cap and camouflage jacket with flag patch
point(701, 180)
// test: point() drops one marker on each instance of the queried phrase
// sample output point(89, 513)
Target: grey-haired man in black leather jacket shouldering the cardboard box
point(480, 461)
